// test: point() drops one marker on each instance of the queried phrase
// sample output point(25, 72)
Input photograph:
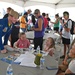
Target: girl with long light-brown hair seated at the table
point(49, 46)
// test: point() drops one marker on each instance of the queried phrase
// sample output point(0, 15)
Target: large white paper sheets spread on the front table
point(26, 59)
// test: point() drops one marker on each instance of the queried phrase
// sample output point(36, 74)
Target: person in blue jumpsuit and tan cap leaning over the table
point(6, 26)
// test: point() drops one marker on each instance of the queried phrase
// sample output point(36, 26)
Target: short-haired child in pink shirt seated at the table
point(22, 42)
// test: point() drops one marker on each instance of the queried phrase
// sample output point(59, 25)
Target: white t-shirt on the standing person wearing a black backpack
point(66, 34)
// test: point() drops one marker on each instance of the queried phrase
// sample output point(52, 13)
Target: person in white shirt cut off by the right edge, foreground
point(71, 67)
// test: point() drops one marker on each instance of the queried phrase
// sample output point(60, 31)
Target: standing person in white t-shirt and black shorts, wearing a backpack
point(66, 32)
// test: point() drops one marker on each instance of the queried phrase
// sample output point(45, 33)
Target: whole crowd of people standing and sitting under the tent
point(37, 23)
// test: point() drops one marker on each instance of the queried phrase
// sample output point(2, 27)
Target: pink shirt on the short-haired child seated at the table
point(23, 43)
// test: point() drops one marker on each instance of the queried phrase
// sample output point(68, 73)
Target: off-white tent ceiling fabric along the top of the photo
point(50, 3)
